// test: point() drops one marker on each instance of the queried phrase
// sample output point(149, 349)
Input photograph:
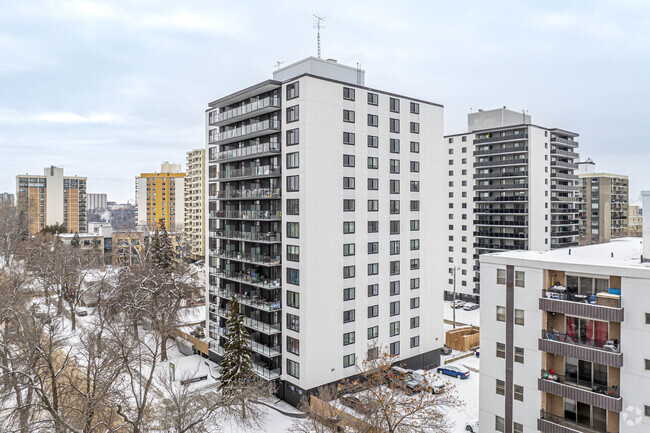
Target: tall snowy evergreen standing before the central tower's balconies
point(236, 365)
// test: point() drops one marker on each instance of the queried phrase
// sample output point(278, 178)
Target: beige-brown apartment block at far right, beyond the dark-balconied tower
point(604, 207)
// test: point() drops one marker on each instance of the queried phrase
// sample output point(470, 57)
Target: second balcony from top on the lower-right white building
point(603, 352)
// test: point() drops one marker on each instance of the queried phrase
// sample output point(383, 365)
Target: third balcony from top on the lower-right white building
point(593, 394)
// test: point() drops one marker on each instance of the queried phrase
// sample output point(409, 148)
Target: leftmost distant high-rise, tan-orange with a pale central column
point(52, 199)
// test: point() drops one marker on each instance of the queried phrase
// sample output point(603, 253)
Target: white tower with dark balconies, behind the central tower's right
point(511, 186)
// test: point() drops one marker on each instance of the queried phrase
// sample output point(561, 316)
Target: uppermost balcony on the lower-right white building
point(601, 306)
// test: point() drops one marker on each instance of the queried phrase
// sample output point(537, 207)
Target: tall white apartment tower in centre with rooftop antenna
point(324, 211)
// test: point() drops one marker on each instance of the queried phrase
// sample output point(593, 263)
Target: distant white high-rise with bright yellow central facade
point(161, 196)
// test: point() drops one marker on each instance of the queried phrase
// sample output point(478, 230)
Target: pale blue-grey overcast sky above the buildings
point(109, 89)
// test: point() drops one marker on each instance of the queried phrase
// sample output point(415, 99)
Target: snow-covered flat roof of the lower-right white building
point(621, 253)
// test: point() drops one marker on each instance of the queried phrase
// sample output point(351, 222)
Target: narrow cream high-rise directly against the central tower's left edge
point(195, 203)
